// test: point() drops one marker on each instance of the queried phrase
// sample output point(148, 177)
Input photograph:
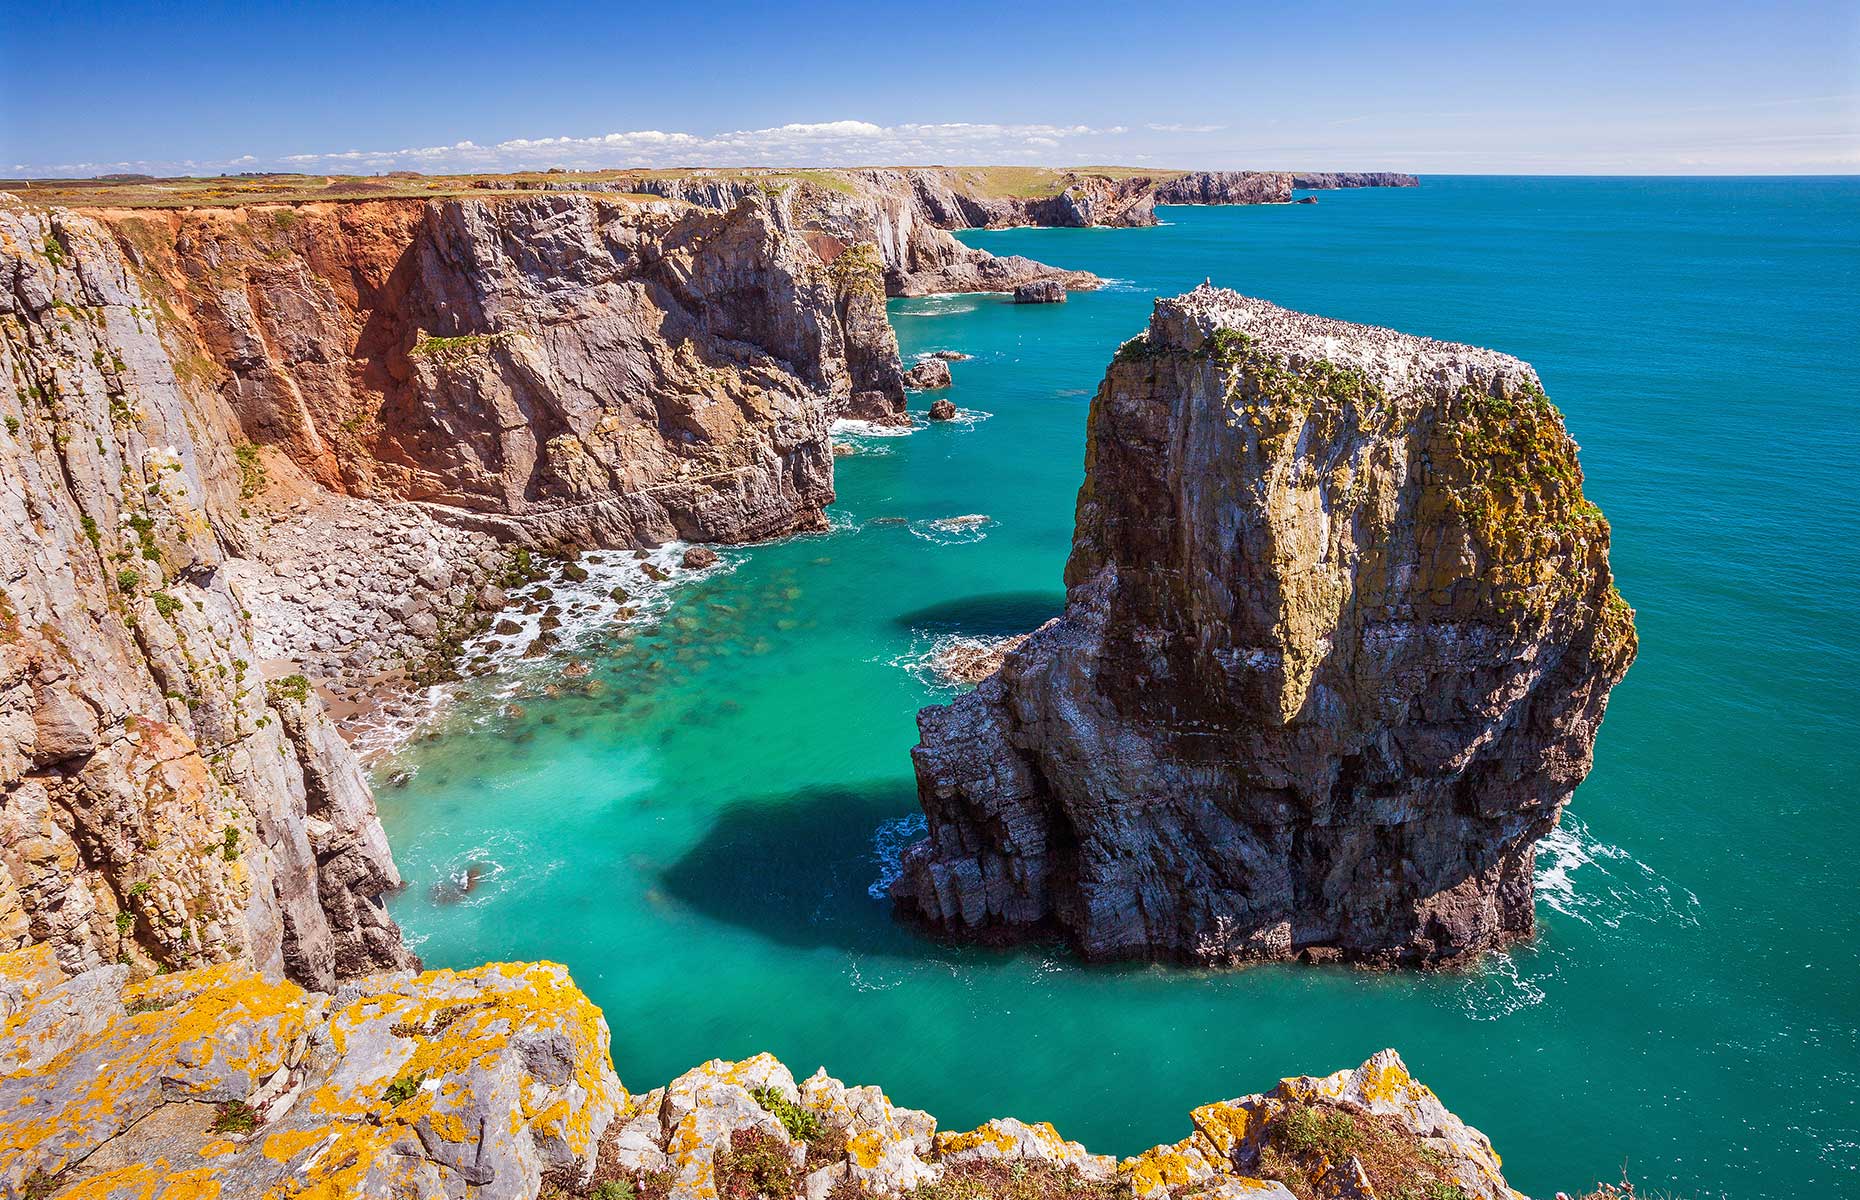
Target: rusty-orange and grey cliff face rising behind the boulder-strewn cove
point(565, 367)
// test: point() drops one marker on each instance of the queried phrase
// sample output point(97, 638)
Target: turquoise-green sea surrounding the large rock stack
point(698, 838)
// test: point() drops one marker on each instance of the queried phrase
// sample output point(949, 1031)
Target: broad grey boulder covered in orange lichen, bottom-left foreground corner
point(438, 1086)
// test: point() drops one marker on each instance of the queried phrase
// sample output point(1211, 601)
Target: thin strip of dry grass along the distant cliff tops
point(287, 189)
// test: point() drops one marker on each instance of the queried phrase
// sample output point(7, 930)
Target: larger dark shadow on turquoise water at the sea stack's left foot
point(797, 870)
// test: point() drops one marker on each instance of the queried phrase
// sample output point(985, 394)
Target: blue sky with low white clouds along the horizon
point(1429, 88)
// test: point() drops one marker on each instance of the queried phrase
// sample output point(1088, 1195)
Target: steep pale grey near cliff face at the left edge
point(161, 803)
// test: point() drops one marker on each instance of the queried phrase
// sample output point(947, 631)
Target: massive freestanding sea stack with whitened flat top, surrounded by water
point(1338, 641)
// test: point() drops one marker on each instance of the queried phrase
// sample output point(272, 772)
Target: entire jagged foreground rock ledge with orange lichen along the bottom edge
point(498, 1086)
